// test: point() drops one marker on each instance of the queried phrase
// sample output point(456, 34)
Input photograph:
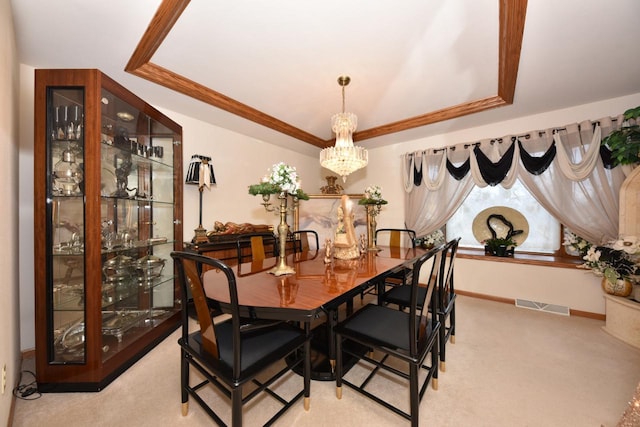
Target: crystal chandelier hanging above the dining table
point(344, 158)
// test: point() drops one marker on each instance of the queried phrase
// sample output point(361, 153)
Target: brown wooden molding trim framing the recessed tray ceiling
point(512, 20)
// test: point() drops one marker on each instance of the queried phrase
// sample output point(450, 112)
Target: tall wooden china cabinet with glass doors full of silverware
point(108, 203)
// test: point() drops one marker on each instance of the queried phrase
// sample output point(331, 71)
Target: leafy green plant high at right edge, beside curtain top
point(624, 143)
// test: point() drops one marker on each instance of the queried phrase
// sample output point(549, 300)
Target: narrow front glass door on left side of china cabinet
point(65, 234)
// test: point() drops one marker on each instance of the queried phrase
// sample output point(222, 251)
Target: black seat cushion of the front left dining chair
point(259, 348)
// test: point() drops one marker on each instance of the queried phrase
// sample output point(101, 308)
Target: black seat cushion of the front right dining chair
point(382, 326)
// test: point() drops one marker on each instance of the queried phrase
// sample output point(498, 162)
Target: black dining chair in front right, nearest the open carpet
point(408, 336)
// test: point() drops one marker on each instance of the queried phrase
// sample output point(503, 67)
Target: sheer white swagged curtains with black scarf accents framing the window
point(576, 188)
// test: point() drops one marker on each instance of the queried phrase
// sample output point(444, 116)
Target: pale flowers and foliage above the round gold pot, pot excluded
point(616, 261)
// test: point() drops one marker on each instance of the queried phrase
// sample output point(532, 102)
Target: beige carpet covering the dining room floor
point(508, 367)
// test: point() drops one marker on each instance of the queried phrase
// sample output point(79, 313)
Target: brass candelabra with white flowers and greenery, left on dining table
point(283, 181)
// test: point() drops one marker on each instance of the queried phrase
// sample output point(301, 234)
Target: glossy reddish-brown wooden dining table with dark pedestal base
point(316, 289)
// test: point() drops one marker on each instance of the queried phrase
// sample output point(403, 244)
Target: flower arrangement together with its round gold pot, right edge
point(617, 263)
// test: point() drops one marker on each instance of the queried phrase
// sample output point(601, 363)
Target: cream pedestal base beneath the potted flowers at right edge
point(623, 319)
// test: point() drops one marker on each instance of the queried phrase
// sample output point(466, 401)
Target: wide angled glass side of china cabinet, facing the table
point(137, 223)
